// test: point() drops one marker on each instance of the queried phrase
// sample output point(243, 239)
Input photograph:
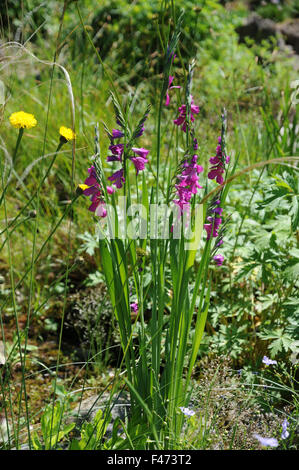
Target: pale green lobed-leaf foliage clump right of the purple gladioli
point(264, 314)
